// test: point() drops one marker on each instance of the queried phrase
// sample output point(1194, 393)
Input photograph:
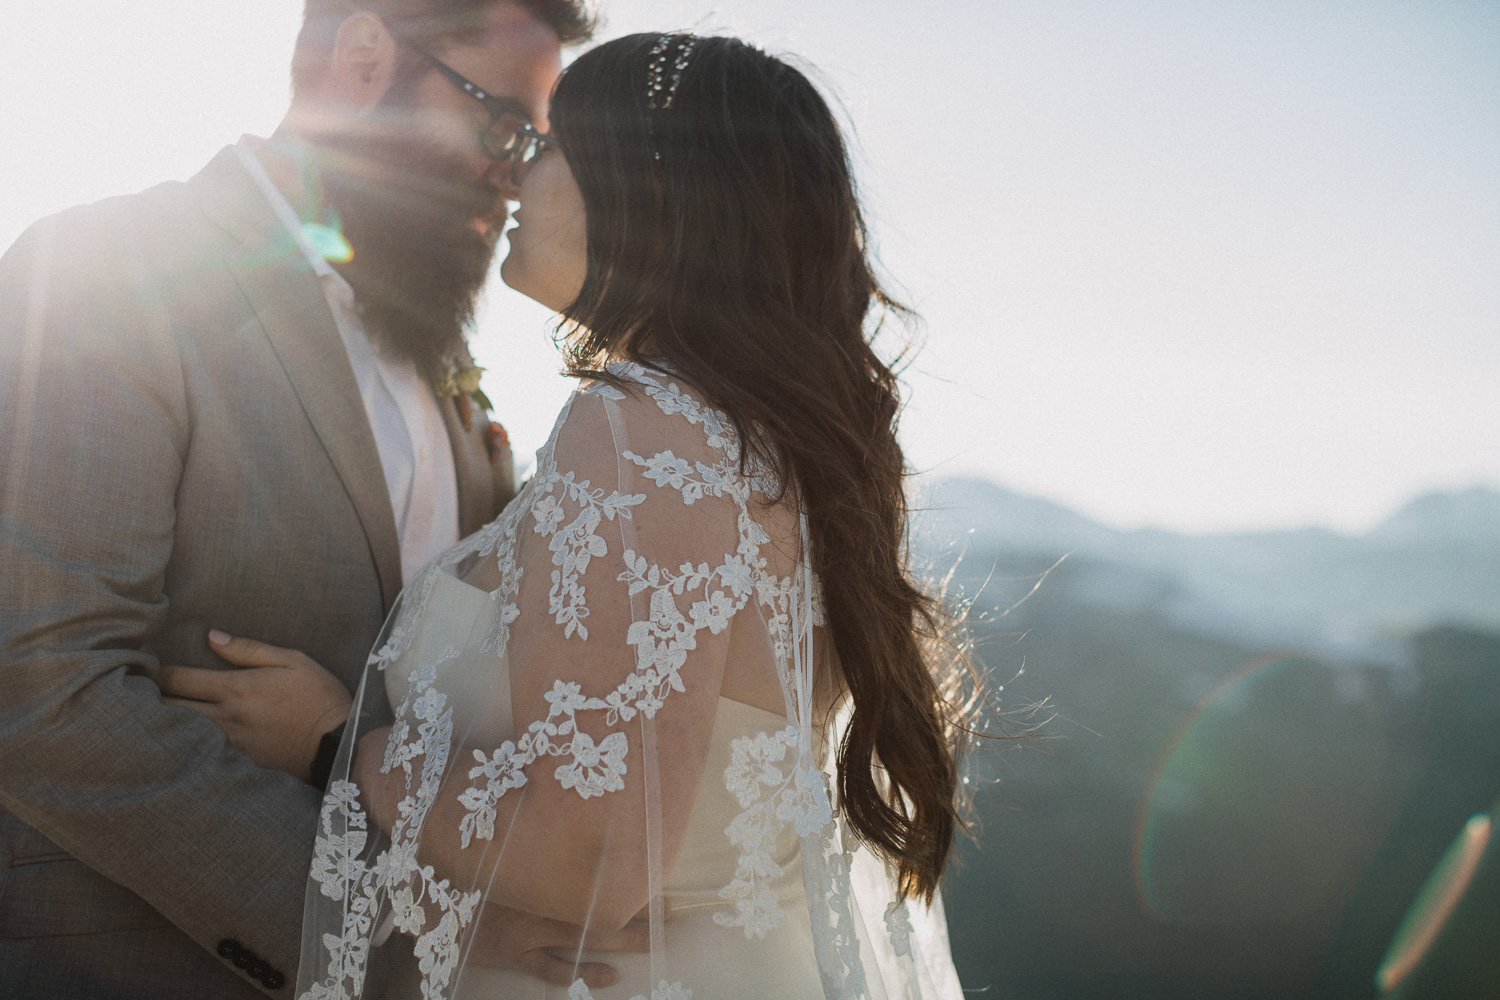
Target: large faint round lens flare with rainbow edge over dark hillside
point(1267, 800)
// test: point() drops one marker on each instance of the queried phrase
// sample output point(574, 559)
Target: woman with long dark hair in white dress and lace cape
point(686, 678)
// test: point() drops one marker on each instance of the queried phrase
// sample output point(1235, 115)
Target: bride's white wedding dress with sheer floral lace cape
point(632, 650)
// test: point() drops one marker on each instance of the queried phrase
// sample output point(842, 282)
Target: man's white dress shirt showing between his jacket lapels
point(403, 410)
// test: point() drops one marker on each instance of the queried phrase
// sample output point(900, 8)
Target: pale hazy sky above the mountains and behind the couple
point(1196, 265)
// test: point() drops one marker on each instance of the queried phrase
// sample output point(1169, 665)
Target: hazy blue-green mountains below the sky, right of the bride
point(1261, 744)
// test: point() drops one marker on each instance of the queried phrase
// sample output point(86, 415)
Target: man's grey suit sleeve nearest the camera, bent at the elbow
point(94, 430)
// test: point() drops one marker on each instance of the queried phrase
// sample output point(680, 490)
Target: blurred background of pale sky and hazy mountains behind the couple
point(1211, 314)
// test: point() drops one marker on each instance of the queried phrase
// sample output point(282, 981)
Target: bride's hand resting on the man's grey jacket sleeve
point(275, 710)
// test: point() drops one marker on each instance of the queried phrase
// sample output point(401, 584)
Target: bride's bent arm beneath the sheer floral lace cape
point(622, 603)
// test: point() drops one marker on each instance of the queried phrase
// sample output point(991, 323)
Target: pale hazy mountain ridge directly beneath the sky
point(1438, 560)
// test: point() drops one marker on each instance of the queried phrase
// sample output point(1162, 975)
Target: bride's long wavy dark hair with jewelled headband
point(727, 242)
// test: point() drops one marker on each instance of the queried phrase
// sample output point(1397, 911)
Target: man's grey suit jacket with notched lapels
point(182, 446)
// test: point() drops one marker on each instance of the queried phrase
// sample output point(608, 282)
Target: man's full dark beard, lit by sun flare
point(419, 263)
